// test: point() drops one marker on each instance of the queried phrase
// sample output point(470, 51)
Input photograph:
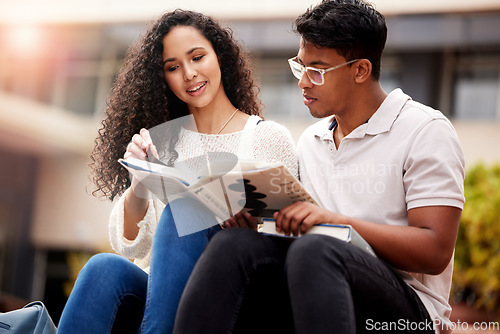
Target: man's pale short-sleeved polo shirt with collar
point(406, 155)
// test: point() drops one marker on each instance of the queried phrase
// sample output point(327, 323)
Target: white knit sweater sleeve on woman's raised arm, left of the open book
point(140, 247)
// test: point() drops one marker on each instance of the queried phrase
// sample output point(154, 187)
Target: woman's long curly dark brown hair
point(141, 98)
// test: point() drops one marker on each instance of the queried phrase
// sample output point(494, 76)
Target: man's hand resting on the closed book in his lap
point(301, 216)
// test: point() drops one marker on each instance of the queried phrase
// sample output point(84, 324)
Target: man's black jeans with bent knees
point(250, 283)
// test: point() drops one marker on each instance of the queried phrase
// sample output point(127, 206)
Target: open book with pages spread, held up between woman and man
point(226, 187)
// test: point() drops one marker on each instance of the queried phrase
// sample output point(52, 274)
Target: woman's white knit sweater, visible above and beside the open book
point(265, 141)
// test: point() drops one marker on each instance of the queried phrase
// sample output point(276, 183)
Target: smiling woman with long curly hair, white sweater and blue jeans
point(185, 64)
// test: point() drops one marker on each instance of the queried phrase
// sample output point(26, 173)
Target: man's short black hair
point(352, 27)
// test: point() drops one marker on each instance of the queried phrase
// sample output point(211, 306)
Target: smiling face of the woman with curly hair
point(191, 67)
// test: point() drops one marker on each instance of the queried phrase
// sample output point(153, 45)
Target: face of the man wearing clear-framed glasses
point(333, 96)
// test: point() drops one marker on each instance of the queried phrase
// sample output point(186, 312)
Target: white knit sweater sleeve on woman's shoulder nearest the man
point(274, 143)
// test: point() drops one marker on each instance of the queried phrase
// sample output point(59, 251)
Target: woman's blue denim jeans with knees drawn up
point(113, 295)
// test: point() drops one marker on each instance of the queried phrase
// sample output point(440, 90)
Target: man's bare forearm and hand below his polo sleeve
point(424, 246)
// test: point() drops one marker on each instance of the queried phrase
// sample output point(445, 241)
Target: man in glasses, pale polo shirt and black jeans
point(389, 166)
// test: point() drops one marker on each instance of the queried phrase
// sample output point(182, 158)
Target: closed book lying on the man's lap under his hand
point(343, 232)
